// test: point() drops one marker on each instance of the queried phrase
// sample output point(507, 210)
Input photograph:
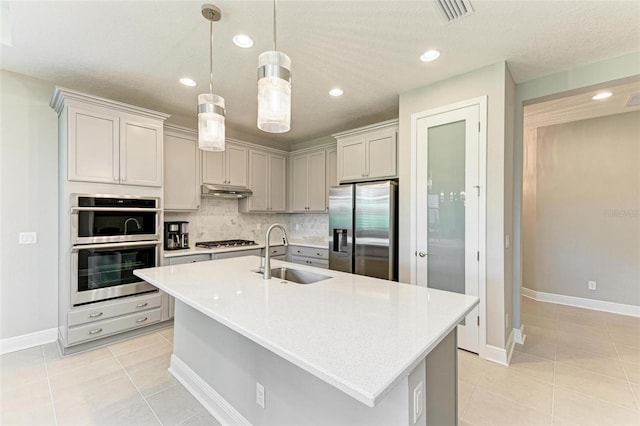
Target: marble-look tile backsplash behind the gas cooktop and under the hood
point(219, 219)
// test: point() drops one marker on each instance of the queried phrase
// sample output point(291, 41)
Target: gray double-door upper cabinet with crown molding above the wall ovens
point(109, 142)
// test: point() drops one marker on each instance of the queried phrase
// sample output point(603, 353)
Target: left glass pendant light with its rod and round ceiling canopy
point(211, 107)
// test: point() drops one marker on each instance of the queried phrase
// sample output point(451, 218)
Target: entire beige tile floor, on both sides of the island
point(577, 367)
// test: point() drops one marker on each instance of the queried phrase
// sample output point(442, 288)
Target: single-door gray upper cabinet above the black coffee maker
point(181, 169)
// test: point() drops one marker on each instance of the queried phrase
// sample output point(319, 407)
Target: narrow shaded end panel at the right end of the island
point(442, 382)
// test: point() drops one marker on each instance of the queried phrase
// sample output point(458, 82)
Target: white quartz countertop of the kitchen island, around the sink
point(361, 335)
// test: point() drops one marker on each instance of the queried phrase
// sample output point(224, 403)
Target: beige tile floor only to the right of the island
point(576, 367)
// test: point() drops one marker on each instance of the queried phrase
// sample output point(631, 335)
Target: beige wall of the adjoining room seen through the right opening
point(586, 215)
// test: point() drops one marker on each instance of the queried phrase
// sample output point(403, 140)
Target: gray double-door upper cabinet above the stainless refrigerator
point(368, 153)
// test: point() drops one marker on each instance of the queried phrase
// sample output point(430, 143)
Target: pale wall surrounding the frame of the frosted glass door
point(493, 81)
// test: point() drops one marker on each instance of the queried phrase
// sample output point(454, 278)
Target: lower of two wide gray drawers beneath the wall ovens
point(105, 328)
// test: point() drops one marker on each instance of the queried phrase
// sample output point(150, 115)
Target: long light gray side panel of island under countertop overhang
point(231, 364)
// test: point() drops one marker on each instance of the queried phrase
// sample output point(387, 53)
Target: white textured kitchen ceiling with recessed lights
point(135, 51)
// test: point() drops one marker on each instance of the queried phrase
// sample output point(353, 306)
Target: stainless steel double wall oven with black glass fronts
point(111, 236)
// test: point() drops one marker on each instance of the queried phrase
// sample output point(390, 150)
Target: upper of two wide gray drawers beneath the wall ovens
point(114, 309)
